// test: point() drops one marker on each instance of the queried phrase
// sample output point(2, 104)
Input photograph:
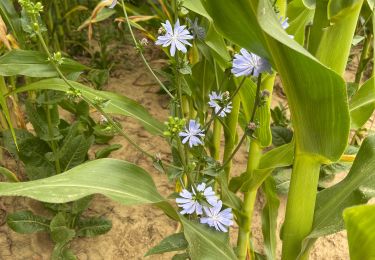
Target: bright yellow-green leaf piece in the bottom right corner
point(360, 225)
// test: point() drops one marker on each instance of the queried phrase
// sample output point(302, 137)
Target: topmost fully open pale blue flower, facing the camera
point(177, 38)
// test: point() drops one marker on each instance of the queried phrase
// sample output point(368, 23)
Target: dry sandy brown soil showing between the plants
point(135, 229)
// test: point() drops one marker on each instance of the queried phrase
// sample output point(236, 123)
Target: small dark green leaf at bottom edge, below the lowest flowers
point(175, 242)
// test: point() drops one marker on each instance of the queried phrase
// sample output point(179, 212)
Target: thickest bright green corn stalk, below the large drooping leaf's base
point(300, 206)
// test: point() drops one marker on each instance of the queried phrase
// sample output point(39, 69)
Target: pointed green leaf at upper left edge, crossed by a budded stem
point(34, 64)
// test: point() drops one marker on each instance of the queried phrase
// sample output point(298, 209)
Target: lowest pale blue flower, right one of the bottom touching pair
point(214, 217)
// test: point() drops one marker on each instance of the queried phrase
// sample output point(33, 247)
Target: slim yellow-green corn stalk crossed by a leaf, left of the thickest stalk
point(243, 242)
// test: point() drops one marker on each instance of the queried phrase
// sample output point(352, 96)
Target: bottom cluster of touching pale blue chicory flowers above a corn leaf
point(203, 201)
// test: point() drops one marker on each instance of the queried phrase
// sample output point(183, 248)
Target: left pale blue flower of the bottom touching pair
point(191, 202)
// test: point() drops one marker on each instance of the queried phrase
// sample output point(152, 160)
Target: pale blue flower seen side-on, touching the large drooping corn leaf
point(246, 64)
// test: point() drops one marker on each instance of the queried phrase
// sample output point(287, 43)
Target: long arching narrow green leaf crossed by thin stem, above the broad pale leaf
point(114, 103)
